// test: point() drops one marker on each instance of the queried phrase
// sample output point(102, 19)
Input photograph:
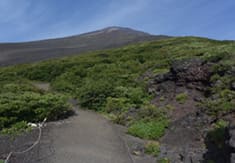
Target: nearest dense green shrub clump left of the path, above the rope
point(30, 107)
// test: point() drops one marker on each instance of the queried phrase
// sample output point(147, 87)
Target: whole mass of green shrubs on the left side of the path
point(21, 102)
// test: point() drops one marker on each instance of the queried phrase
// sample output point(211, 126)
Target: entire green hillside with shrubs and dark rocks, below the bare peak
point(179, 92)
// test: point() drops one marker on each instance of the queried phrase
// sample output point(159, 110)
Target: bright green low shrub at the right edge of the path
point(148, 129)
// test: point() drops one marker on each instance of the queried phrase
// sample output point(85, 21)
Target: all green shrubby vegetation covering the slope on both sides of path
point(113, 82)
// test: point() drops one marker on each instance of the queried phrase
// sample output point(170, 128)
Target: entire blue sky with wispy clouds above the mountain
point(25, 20)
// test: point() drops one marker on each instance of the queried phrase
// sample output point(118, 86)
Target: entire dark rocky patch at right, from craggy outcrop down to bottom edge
point(186, 140)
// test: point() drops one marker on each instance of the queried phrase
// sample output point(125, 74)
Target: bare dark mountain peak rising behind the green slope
point(111, 37)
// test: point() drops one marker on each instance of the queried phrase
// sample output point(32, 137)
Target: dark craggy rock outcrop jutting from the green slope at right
point(192, 73)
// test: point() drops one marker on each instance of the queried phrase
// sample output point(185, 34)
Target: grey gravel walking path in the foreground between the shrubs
point(86, 138)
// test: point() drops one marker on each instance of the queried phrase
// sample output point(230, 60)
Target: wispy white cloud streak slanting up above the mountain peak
point(115, 13)
